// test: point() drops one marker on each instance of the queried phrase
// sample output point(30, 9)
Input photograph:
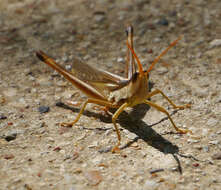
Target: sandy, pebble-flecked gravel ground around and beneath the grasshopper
point(36, 153)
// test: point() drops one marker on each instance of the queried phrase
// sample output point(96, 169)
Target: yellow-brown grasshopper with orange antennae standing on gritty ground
point(112, 91)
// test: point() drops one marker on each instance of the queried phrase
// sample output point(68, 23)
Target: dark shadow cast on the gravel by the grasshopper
point(133, 122)
